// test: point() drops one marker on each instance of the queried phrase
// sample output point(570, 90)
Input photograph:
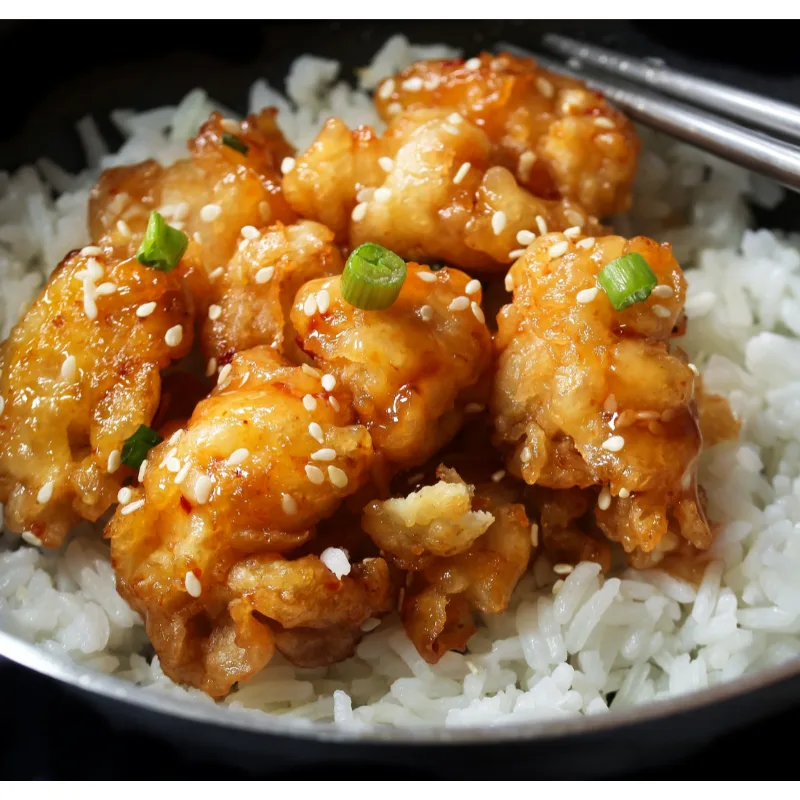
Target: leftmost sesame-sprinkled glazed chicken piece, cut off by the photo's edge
point(80, 373)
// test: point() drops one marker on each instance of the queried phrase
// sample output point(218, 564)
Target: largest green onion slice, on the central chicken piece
point(372, 277)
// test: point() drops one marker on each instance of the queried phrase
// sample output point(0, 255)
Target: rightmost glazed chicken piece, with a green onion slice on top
point(586, 395)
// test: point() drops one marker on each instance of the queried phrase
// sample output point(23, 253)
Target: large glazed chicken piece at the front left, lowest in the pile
point(203, 555)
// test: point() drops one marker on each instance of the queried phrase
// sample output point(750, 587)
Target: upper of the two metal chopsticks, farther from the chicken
point(763, 112)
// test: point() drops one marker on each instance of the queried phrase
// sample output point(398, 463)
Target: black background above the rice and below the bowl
point(48, 732)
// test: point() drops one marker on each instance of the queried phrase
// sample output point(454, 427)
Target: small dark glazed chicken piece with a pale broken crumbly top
point(463, 557)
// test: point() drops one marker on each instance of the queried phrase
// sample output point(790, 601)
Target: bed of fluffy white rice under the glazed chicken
point(599, 643)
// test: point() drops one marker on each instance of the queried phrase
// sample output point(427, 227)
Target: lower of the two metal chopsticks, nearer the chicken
point(754, 151)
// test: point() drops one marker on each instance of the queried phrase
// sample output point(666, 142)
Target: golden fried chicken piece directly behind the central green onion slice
point(427, 189)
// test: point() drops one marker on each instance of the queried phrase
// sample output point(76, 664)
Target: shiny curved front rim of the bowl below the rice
point(254, 721)
